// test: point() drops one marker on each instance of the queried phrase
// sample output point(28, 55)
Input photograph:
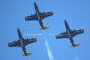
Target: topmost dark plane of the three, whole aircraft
point(39, 16)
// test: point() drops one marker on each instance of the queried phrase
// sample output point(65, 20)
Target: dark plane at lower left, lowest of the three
point(22, 43)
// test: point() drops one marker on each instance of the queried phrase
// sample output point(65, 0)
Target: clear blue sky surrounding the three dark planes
point(76, 12)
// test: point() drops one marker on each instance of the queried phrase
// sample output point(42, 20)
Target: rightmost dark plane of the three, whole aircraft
point(70, 34)
